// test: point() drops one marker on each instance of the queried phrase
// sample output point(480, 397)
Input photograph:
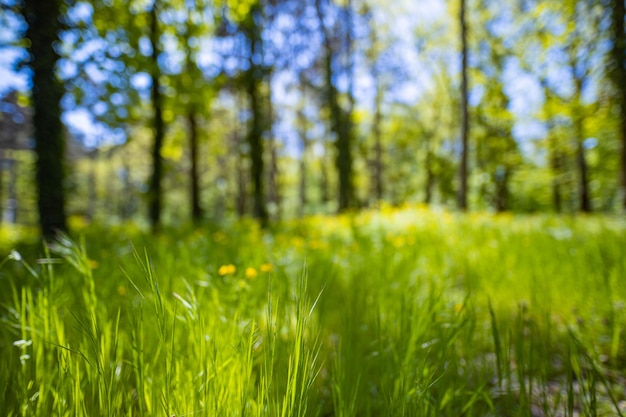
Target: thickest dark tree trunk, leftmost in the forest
point(42, 17)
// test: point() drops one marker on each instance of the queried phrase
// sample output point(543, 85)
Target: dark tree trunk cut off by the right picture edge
point(619, 77)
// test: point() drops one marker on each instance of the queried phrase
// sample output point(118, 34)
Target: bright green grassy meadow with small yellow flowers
point(395, 313)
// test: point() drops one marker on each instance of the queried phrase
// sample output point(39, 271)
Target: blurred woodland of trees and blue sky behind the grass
point(180, 110)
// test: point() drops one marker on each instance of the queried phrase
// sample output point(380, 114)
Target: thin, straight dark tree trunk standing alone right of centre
point(463, 174)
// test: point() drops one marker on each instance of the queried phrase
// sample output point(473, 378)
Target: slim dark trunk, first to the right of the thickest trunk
point(156, 190)
